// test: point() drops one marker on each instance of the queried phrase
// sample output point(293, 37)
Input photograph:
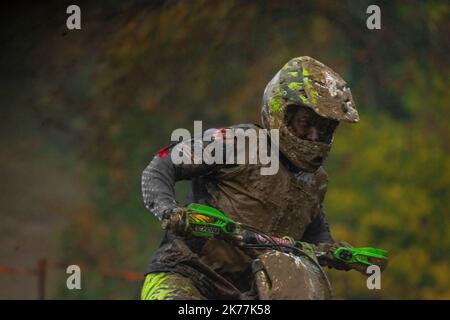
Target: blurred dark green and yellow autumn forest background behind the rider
point(84, 111)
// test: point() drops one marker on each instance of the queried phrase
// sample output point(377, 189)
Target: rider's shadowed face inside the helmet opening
point(308, 125)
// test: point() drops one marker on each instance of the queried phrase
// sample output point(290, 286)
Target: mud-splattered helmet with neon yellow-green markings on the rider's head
point(306, 82)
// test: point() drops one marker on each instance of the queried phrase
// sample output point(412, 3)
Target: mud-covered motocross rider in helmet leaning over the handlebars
point(305, 100)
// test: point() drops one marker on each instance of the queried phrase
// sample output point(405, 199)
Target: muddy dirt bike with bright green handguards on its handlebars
point(286, 268)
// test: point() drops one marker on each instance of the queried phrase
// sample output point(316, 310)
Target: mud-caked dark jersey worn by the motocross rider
point(286, 203)
